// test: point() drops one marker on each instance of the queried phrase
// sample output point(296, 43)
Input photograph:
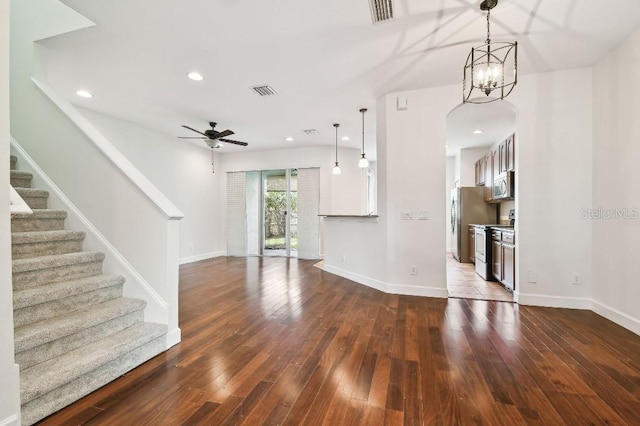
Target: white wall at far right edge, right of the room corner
point(615, 184)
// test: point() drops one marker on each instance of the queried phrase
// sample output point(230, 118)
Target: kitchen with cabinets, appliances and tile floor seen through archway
point(481, 264)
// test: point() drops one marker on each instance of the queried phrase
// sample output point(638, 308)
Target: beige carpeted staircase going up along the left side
point(74, 332)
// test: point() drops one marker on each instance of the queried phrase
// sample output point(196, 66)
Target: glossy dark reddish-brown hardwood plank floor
point(278, 341)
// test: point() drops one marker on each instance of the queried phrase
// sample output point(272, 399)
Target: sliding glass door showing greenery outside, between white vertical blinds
point(280, 213)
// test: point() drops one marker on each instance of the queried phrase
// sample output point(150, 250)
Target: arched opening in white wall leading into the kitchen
point(480, 141)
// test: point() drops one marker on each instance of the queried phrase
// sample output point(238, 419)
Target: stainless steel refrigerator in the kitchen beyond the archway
point(468, 207)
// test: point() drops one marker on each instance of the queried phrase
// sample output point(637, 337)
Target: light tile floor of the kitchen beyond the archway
point(464, 283)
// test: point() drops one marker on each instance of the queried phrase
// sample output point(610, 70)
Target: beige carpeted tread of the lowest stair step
point(43, 378)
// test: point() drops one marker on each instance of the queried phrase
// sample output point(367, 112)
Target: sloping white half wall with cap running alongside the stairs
point(125, 216)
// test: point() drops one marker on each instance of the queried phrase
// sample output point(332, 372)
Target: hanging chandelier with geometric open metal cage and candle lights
point(491, 69)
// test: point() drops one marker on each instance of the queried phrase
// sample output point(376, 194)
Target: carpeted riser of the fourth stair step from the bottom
point(35, 278)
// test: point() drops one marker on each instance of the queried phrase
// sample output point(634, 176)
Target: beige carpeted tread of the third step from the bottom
point(59, 290)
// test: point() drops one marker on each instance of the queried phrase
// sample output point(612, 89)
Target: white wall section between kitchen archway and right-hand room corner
point(554, 173)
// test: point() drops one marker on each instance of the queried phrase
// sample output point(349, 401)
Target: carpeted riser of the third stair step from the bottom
point(50, 309)
